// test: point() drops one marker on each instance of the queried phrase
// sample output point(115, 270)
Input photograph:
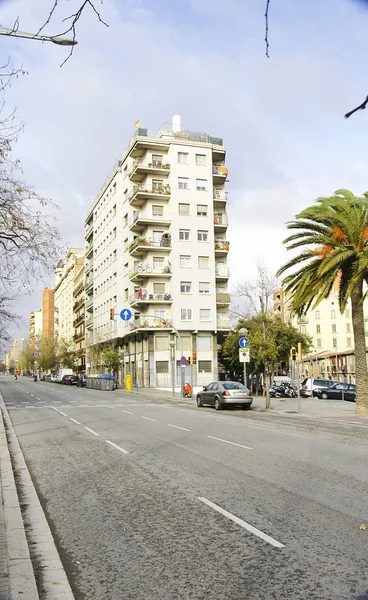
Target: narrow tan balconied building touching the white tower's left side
point(79, 319)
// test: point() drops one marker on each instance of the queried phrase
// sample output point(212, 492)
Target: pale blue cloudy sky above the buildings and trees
point(281, 117)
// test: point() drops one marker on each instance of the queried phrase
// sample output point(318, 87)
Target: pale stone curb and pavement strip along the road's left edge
point(54, 582)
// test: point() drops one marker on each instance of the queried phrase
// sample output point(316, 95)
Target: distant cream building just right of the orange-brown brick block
point(63, 293)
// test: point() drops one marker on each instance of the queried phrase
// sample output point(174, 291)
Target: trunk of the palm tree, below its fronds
point(361, 371)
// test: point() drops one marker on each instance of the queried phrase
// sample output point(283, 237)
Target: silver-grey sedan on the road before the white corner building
point(225, 393)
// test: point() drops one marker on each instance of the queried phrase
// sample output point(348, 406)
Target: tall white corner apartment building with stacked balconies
point(156, 244)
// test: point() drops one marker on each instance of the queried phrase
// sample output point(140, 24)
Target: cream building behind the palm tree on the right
point(332, 351)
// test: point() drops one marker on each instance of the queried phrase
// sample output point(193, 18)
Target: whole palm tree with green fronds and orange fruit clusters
point(334, 234)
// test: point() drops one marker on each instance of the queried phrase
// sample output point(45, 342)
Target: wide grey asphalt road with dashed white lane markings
point(156, 500)
